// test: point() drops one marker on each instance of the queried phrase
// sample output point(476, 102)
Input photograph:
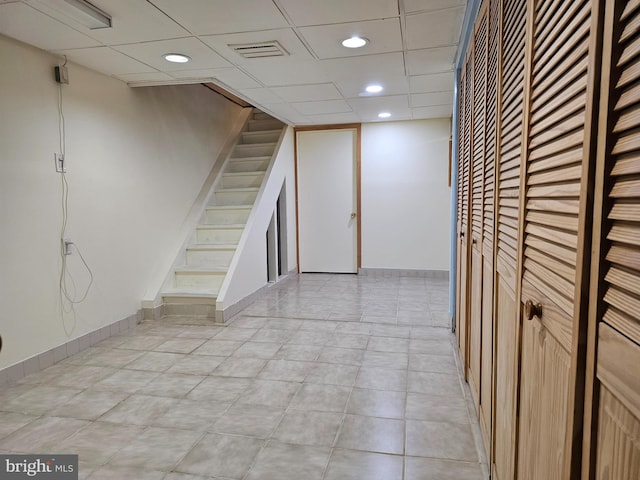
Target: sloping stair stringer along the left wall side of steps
point(164, 277)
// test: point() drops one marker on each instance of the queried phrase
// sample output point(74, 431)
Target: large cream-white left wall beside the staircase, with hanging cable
point(136, 158)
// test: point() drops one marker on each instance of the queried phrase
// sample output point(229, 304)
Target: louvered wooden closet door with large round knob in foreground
point(558, 162)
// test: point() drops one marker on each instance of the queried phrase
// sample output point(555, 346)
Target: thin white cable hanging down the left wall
point(67, 294)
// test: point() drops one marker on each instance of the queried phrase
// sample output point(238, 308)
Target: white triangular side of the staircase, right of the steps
point(247, 273)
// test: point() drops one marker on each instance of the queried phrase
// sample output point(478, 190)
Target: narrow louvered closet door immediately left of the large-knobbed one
point(511, 99)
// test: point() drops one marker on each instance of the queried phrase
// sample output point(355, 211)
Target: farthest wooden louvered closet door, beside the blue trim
point(464, 193)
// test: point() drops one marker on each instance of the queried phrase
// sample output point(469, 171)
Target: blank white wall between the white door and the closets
point(405, 195)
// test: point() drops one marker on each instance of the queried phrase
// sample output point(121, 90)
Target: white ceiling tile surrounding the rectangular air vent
point(284, 36)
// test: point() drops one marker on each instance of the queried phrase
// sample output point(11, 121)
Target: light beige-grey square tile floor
point(327, 377)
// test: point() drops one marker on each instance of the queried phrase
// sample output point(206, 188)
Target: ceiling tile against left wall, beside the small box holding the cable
point(106, 60)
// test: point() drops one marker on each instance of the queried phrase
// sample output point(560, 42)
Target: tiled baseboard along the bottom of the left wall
point(39, 362)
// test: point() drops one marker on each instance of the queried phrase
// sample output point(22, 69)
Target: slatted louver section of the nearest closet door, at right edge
point(621, 267)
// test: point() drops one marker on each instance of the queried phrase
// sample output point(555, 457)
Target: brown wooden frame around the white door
point(358, 147)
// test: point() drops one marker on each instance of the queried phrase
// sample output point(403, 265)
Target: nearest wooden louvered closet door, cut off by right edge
point(617, 311)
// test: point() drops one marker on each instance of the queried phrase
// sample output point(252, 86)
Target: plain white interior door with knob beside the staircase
point(327, 201)
